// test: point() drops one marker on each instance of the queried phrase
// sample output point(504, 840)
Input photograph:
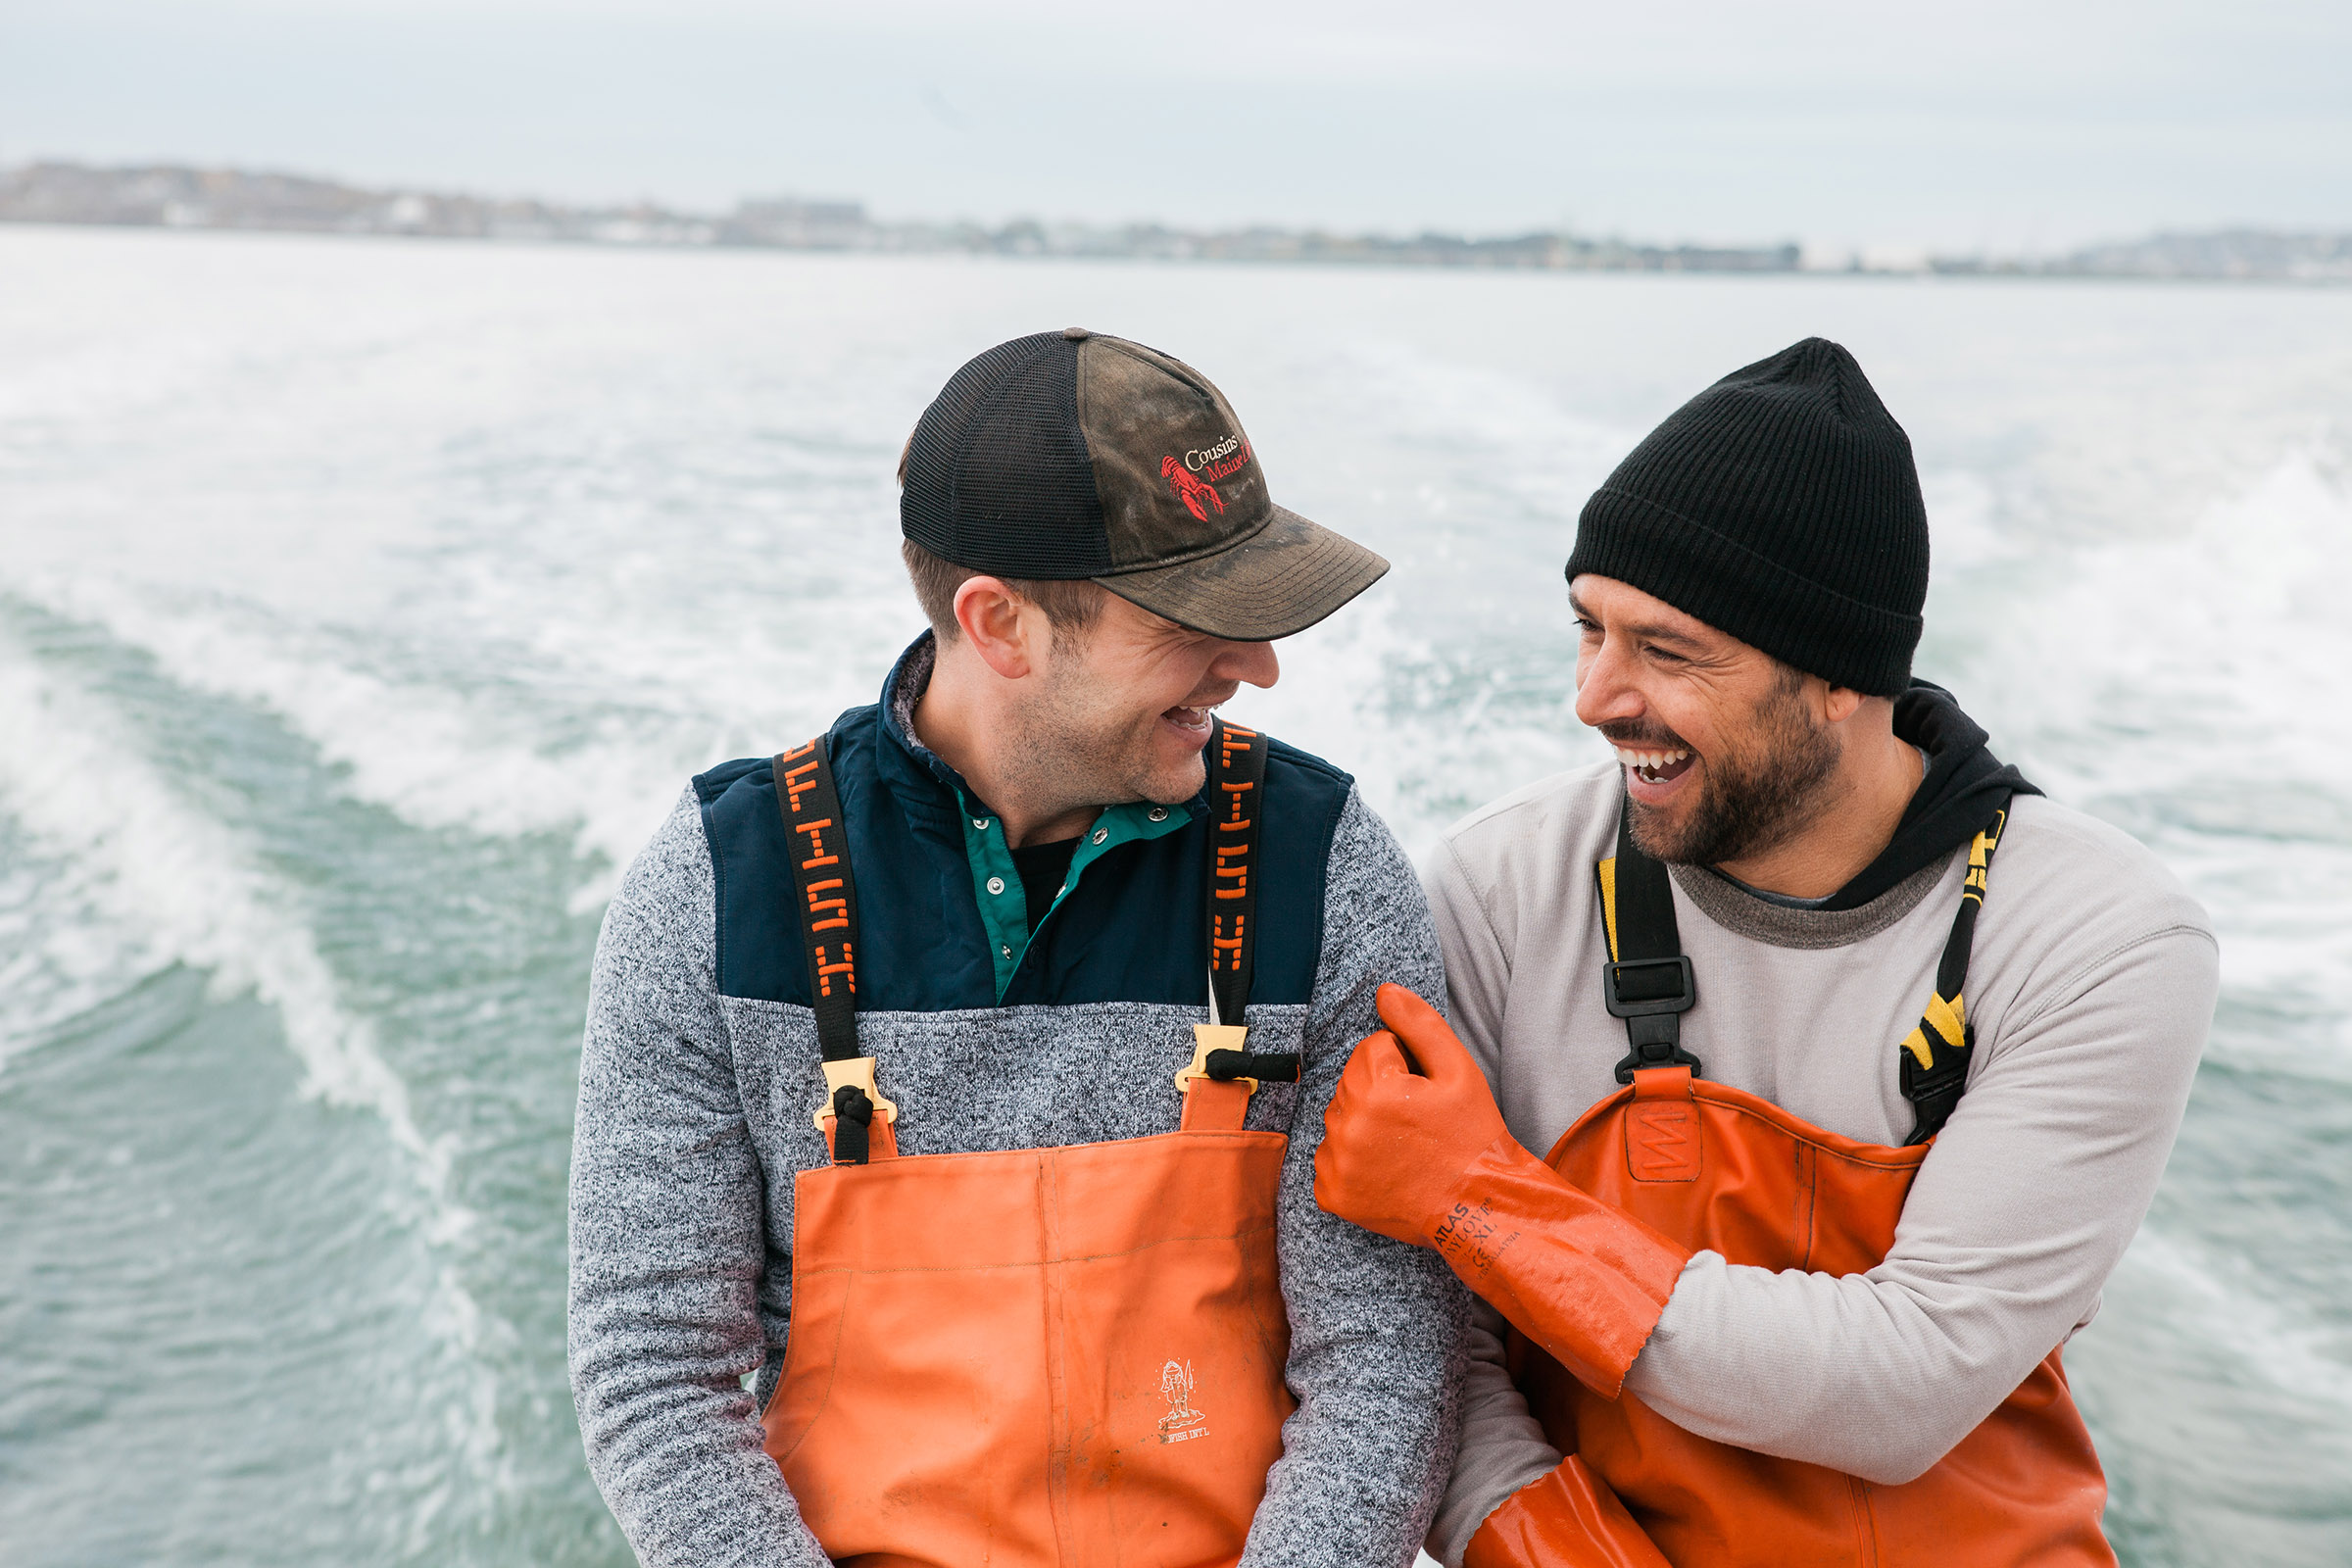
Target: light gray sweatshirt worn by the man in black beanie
point(2092, 989)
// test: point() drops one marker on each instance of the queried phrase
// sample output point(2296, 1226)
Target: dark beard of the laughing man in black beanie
point(1753, 800)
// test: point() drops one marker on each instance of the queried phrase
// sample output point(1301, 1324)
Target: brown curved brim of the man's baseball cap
point(1274, 584)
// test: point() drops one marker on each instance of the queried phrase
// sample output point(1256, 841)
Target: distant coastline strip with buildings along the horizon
point(178, 196)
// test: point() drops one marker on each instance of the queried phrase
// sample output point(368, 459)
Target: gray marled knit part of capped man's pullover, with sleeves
point(695, 1118)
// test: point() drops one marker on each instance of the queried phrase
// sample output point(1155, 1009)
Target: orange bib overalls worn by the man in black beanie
point(1723, 1170)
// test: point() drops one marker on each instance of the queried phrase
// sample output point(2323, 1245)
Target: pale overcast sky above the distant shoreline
point(1991, 126)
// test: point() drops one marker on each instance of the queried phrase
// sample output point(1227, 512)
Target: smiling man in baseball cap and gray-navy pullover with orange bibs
point(944, 1167)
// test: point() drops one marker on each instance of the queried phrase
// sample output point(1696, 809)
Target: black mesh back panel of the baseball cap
point(998, 474)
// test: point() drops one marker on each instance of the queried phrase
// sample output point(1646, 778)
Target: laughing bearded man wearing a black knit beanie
point(1843, 1120)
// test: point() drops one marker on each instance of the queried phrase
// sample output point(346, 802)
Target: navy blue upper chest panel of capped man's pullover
point(1135, 930)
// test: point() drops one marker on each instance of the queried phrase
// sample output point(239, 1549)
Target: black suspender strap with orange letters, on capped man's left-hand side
point(817, 838)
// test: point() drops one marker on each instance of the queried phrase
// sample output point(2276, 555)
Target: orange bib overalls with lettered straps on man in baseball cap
point(1041, 1358)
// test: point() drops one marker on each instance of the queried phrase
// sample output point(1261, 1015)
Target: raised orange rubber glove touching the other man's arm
point(1422, 1155)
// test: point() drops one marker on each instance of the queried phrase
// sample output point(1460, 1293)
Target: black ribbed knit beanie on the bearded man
point(1779, 507)
